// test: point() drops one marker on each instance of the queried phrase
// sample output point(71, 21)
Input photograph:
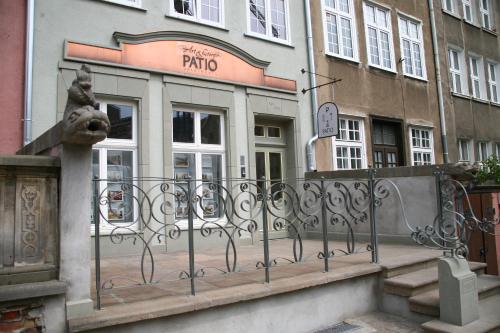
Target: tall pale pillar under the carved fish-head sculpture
point(74, 222)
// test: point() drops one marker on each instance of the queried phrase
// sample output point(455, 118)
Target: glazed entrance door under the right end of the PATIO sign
point(269, 163)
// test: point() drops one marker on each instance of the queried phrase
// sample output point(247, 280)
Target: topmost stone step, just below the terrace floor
point(414, 283)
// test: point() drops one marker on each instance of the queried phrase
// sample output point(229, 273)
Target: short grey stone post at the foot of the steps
point(458, 299)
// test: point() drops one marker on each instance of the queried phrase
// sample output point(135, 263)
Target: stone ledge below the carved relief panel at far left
point(31, 290)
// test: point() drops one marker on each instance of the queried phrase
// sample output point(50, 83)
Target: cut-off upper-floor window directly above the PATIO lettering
point(205, 11)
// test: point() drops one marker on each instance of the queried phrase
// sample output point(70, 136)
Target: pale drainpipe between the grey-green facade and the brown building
point(310, 155)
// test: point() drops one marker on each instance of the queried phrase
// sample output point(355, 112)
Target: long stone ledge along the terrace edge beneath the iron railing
point(169, 306)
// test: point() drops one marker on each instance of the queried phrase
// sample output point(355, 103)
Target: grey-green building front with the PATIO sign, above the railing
point(206, 89)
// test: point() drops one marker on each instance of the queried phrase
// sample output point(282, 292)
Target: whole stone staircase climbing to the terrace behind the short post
point(411, 290)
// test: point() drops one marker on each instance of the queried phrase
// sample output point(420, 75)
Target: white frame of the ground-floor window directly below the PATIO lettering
point(198, 149)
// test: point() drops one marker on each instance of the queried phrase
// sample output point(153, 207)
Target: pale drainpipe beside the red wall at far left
point(28, 75)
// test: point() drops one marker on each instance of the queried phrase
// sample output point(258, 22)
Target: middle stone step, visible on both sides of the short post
point(428, 303)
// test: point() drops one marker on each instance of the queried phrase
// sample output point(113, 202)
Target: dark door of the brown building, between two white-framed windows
point(387, 141)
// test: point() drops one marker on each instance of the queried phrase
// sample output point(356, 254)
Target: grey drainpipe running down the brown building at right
point(439, 82)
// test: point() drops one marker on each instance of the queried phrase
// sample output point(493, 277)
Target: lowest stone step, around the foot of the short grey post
point(488, 322)
